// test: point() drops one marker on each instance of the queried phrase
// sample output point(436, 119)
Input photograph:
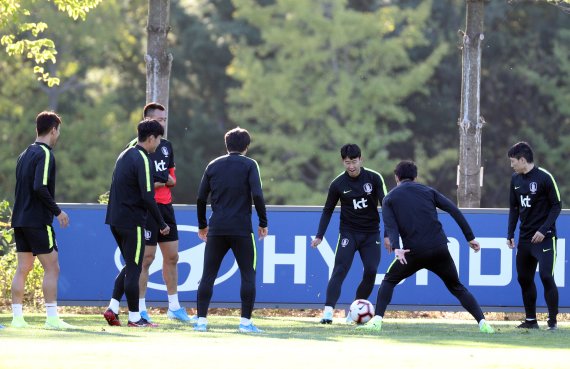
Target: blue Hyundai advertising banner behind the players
point(292, 274)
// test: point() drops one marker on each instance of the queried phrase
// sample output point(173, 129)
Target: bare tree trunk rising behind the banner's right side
point(470, 121)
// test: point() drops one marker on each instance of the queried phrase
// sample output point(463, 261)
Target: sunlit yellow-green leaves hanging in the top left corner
point(21, 30)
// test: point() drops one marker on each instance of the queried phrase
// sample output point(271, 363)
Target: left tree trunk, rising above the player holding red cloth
point(158, 60)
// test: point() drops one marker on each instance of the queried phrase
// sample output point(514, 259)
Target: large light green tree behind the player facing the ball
point(326, 75)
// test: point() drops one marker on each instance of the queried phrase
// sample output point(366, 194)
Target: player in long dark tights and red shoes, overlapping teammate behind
point(130, 198)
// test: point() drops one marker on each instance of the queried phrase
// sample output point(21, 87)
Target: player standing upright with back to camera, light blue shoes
point(231, 181)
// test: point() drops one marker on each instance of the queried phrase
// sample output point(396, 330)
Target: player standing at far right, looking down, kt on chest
point(535, 200)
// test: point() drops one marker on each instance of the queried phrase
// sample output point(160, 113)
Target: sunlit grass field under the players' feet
point(288, 342)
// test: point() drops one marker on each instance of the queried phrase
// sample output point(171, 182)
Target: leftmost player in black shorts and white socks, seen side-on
point(32, 218)
